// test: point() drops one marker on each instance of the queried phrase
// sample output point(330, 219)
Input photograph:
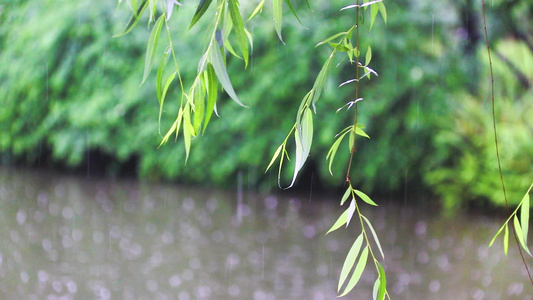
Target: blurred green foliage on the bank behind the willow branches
point(69, 89)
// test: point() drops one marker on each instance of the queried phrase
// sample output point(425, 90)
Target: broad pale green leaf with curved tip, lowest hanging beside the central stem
point(304, 138)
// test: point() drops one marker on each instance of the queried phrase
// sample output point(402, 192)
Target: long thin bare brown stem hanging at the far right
point(496, 138)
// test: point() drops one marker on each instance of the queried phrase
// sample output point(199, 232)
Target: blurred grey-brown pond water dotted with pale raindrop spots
point(69, 237)
